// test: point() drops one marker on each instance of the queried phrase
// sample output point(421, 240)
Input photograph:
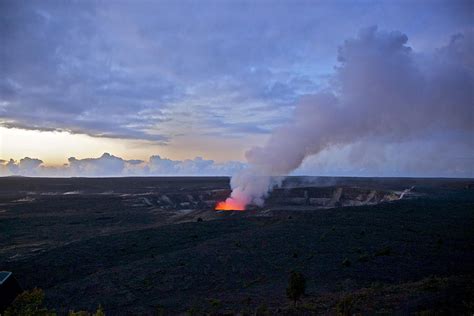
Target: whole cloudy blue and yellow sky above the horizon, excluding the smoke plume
point(94, 88)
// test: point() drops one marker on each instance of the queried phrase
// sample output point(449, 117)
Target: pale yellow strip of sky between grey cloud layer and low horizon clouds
point(55, 147)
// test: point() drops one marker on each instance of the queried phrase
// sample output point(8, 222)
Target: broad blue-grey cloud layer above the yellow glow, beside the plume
point(124, 69)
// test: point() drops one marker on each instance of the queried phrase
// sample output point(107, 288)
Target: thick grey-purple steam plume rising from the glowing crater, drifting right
point(382, 90)
